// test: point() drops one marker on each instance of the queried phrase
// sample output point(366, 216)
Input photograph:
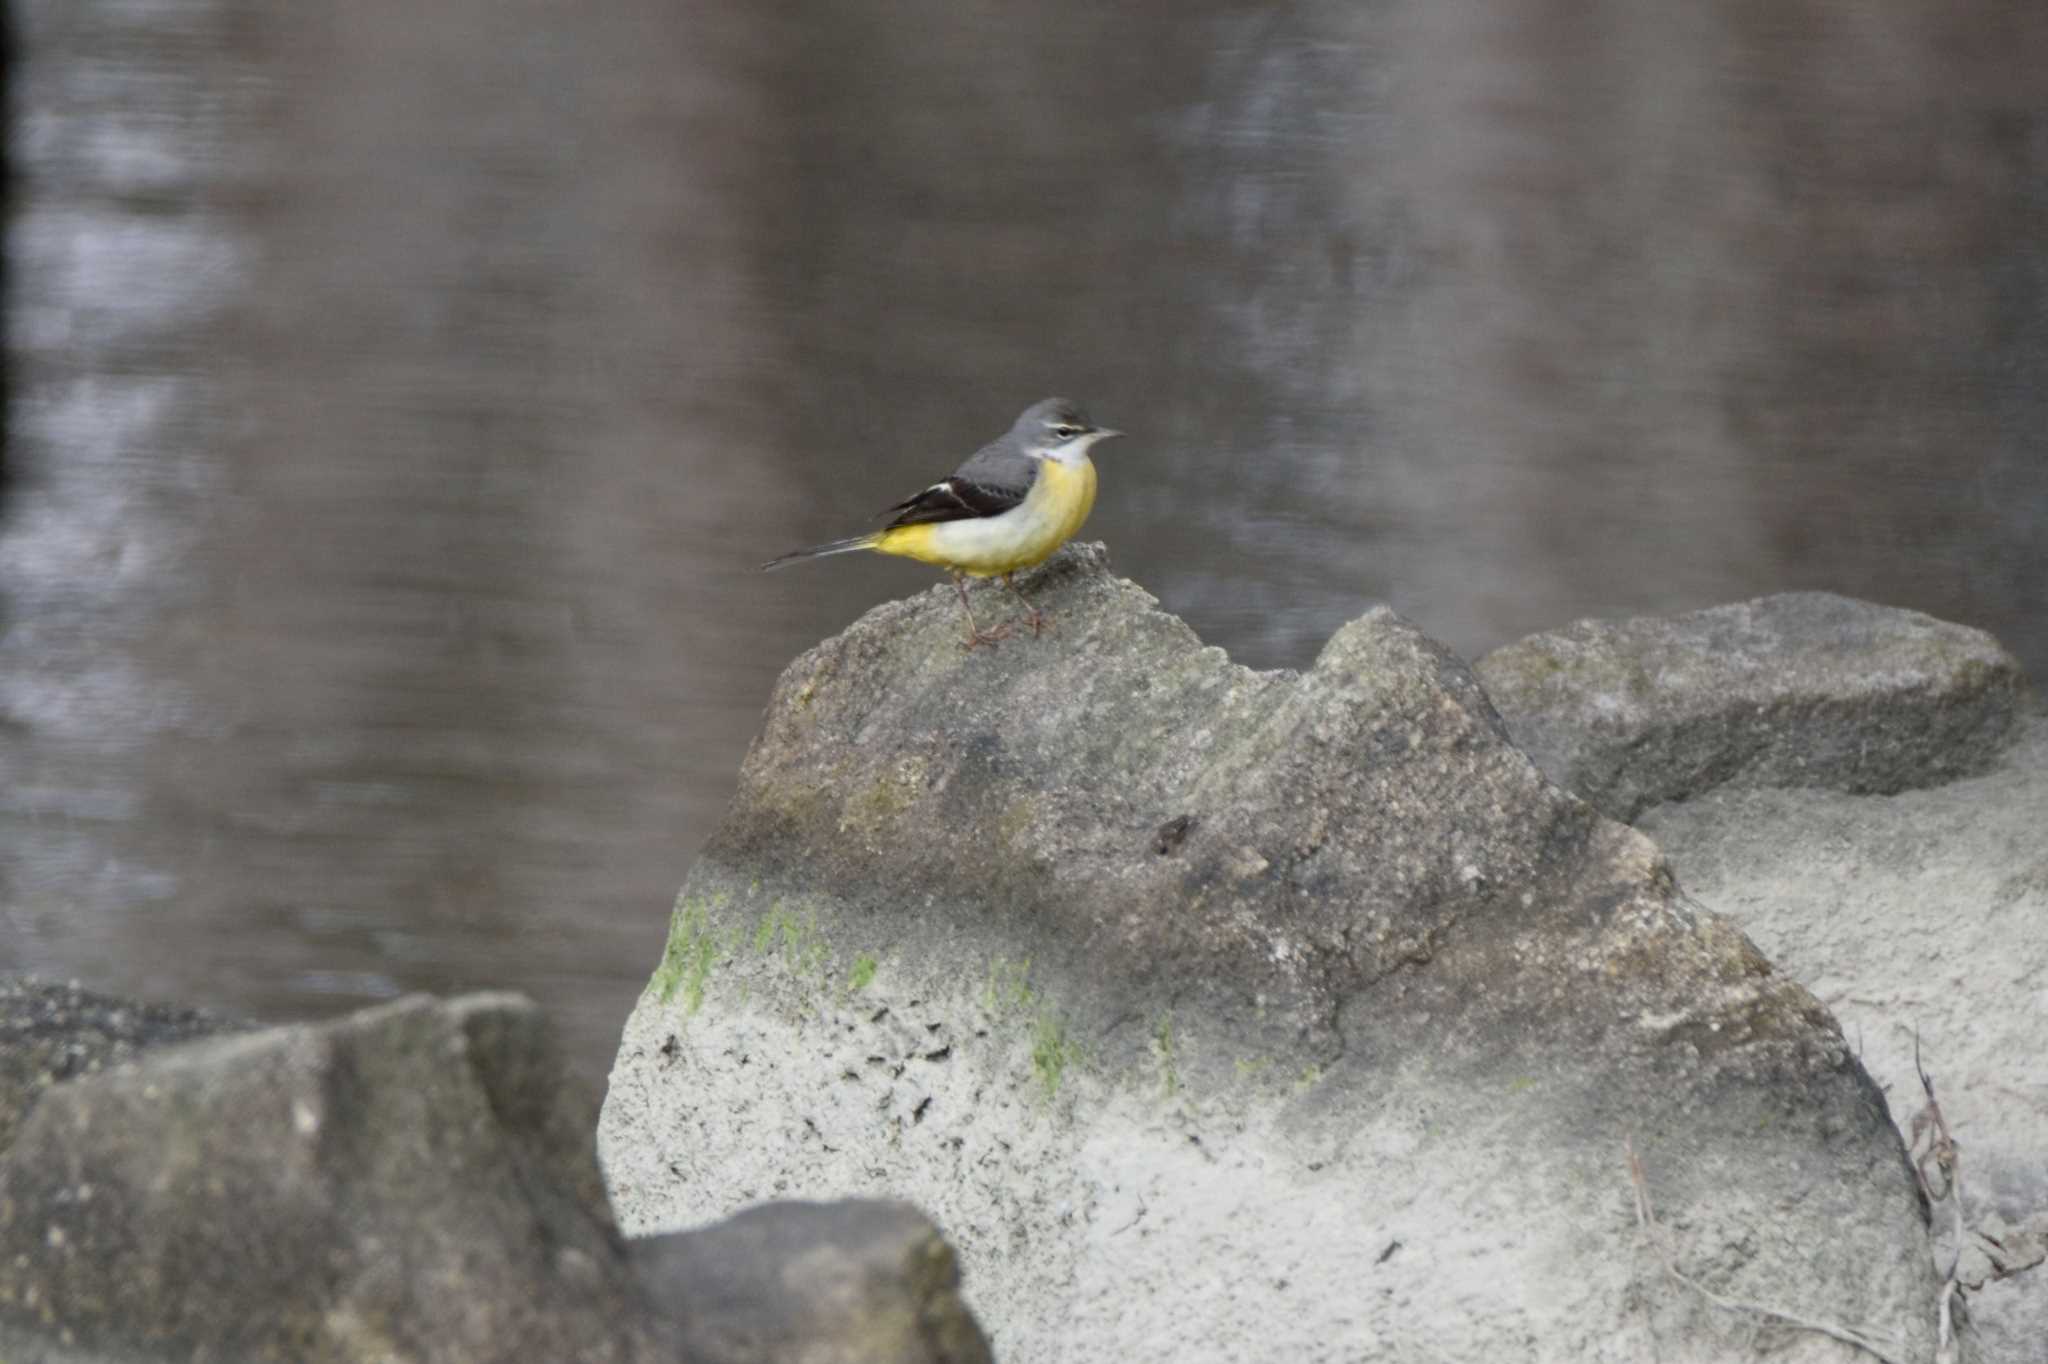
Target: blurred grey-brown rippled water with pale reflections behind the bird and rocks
point(400, 396)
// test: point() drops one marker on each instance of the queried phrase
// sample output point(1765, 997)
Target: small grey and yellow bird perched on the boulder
point(1007, 509)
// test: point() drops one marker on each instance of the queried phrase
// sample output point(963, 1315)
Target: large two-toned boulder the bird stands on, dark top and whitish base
point(1226, 1015)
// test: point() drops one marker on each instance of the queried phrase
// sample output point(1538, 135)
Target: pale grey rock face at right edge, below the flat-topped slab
point(1918, 917)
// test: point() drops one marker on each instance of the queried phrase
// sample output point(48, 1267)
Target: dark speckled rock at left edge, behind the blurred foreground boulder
point(52, 1033)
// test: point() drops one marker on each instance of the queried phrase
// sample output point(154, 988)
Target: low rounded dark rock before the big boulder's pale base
point(816, 1283)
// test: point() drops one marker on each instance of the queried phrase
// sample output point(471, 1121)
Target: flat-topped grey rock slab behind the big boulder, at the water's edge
point(1805, 689)
